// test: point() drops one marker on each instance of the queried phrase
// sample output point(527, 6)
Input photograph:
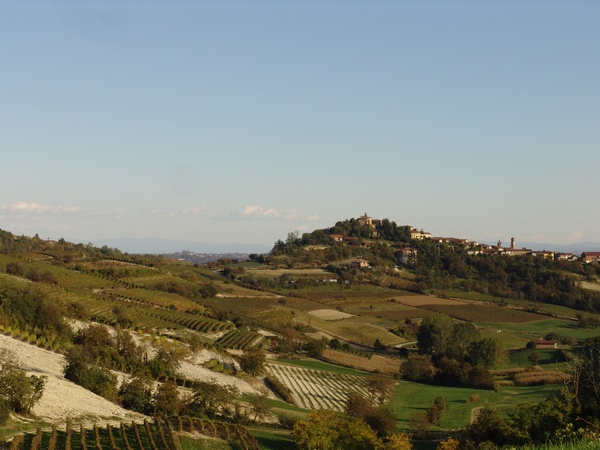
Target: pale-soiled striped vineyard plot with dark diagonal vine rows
point(314, 389)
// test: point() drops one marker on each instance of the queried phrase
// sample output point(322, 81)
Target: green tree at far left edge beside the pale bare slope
point(18, 391)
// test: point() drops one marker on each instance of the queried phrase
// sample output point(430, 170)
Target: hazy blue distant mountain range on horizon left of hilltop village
point(157, 246)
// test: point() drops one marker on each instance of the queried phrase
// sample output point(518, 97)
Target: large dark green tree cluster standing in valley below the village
point(452, 353)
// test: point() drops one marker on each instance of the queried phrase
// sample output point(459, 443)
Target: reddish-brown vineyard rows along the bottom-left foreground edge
point(156, 435)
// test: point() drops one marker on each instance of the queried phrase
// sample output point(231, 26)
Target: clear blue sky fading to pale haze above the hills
point(241, 121)
